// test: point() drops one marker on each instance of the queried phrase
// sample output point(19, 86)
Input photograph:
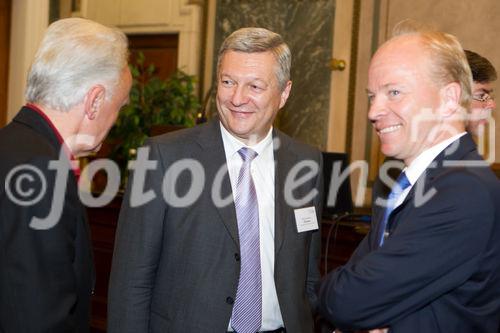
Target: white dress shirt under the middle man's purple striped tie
point(262, 171)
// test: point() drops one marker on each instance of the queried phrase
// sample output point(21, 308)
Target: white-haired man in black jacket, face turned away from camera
point(76, 86)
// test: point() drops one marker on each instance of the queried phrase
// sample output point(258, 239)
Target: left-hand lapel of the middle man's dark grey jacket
point(213, 158)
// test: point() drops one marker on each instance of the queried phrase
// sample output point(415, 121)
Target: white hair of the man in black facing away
point(74, 55)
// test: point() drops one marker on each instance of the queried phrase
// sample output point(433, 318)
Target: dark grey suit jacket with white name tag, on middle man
point(176, 269)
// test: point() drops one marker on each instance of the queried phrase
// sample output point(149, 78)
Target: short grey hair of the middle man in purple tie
point(252, 40)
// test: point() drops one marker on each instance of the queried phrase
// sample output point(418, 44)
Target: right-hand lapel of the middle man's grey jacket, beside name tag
point(284, 159)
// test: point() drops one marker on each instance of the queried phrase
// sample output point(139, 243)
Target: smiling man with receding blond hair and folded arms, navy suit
point(431, 260)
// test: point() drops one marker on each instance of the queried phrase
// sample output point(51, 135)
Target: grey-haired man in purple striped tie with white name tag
point(190, 259)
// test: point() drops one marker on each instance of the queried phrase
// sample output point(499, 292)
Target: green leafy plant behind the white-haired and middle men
point(153, 103)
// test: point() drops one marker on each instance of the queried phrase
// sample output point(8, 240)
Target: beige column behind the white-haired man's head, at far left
point(29, 20)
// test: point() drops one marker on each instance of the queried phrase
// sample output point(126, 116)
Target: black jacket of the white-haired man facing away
point(45, 275)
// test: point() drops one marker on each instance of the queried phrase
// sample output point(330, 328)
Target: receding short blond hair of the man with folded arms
point(447, 56)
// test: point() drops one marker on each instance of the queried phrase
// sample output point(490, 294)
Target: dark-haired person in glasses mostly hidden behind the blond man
point(483, 103)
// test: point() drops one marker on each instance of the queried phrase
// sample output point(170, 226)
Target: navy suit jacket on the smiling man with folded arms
point(439, 270)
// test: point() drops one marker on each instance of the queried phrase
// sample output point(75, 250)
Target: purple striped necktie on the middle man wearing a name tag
point(247, 309)
